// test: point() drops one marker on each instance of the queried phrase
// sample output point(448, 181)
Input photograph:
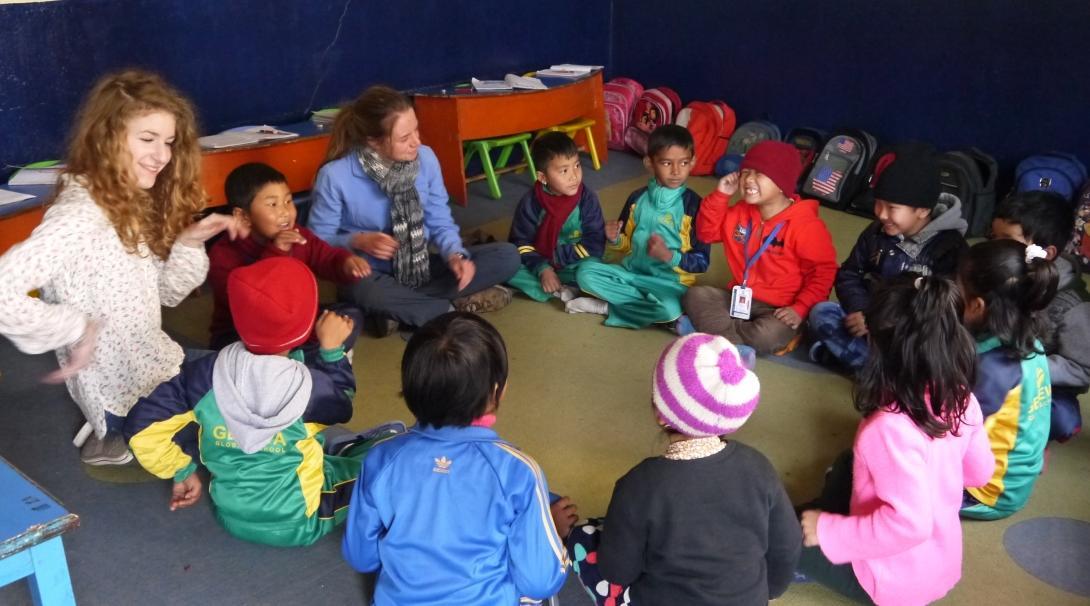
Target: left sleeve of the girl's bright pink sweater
point(893, 457)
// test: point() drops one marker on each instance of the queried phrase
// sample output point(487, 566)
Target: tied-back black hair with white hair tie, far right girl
point(1014, 292)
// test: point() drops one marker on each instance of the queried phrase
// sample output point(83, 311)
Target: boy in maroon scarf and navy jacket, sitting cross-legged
point(558, 224)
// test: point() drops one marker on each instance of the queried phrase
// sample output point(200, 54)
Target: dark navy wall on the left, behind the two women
point(252, 62)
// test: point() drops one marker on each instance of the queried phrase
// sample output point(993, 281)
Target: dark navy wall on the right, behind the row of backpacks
point(1011, 77)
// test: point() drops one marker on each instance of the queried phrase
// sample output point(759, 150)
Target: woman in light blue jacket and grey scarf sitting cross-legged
point(381, 195)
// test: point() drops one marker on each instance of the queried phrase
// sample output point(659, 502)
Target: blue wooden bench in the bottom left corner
point(31, 527)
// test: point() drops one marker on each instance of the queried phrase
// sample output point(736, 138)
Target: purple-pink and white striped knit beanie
point(701, 387)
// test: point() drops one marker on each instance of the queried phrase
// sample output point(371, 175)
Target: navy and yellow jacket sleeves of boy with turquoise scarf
point(693, 256)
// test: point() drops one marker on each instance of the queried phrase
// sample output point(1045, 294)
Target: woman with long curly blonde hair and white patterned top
point(117, 243)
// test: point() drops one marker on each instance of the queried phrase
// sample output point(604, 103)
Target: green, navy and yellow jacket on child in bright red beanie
point(273, 496)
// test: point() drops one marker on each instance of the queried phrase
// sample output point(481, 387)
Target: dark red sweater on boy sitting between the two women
point(326, 262)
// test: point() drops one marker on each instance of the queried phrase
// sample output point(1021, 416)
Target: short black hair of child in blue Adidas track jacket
point(453, 368)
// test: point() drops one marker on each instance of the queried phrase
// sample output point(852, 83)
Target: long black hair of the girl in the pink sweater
point(923, 360)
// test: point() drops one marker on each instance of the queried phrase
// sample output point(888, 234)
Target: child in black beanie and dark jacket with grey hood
point(916, 229)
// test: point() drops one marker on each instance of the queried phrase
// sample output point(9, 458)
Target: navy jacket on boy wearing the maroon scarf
point(576, 244)
